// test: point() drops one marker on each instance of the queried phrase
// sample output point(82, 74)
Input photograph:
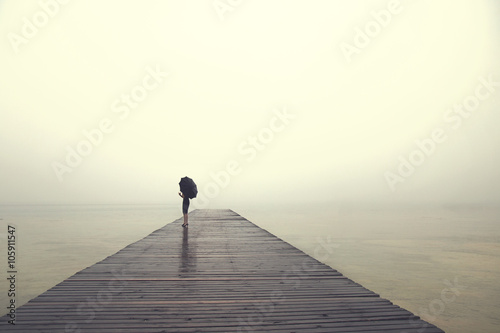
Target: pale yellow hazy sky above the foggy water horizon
point(115, 101)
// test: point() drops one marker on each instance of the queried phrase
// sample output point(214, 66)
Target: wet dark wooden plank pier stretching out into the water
point(223, 274)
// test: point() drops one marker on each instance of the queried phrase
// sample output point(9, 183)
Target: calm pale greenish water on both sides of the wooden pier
point(442, 263)
